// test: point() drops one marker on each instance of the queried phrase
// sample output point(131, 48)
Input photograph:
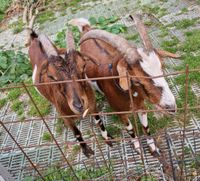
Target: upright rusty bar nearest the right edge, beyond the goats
point(185, 117)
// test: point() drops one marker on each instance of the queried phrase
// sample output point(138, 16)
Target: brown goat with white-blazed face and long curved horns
point(112, 55)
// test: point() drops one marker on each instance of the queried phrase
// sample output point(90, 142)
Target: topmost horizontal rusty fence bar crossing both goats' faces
point(98, 78)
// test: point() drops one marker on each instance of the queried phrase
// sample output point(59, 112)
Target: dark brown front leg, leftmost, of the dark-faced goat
point(85, 148)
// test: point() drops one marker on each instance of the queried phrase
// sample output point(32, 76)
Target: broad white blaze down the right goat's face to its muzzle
point(152, 66)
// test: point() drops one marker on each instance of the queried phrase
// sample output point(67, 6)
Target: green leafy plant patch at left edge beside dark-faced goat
point(14, 67)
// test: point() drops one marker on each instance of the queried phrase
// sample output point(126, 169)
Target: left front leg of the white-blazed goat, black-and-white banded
point(131, 132)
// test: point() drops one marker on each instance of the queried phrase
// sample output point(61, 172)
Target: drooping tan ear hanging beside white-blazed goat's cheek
point(121, 69)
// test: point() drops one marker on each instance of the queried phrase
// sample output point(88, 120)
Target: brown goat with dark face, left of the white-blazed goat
point(69, 98)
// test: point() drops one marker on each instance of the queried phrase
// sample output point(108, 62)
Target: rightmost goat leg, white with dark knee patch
point(150, 141)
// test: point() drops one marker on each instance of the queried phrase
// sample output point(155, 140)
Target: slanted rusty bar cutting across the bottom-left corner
point(27, 157)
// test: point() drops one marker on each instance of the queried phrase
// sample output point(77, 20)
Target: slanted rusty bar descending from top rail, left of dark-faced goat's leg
point(52, 136)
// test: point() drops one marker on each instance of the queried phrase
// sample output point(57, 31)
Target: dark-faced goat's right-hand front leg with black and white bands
point(104, 133)
